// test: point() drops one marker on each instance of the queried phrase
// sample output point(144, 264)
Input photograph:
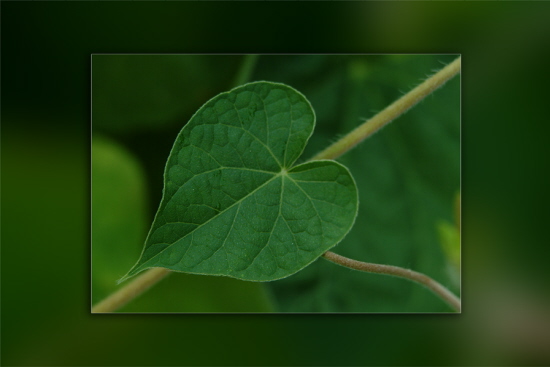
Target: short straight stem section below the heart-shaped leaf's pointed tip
point(130, 291)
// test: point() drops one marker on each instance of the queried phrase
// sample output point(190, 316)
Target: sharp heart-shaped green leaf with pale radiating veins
point(233, 206)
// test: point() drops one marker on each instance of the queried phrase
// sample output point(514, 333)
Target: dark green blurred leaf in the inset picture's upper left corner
point(148, 92)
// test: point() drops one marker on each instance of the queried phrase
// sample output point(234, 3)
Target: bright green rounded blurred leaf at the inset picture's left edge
point(118, 214)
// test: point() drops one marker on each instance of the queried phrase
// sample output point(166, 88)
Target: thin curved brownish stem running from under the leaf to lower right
point(396, 271)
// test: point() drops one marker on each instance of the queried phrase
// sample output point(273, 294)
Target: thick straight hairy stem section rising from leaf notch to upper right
point(391, 112)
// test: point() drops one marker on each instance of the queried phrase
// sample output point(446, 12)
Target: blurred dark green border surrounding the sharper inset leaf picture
point(46, 157)
